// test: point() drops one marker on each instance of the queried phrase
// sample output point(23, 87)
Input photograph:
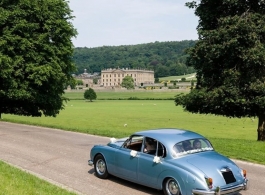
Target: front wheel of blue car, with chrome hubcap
point(100, 167)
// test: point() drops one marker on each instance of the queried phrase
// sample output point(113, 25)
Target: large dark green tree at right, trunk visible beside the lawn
point(229, 60)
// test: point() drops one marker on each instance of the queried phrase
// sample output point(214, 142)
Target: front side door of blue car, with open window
point(126, 164)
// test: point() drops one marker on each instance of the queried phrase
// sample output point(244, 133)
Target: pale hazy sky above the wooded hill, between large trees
point(131, 22)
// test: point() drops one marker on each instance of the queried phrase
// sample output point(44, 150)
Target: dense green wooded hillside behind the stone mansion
point(165, 58)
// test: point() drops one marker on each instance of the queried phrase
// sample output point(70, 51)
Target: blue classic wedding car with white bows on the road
point(179, 162)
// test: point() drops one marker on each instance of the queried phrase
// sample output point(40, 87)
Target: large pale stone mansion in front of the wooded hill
point(113, 77)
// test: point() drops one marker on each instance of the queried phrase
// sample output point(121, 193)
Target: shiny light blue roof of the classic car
point(169, 136)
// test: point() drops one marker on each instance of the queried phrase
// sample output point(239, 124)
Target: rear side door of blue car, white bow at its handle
point(148, 170)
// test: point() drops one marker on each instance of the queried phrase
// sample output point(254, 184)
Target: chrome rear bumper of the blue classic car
point(219, 191)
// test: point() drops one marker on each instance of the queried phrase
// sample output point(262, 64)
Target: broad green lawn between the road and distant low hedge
point(233, 137)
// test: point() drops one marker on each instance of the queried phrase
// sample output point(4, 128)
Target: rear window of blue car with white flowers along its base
point(191, 146)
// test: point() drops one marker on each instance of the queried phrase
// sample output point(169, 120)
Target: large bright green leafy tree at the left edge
point(35, 56)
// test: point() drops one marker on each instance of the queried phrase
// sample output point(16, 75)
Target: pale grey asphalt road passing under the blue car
point(61, 158)
